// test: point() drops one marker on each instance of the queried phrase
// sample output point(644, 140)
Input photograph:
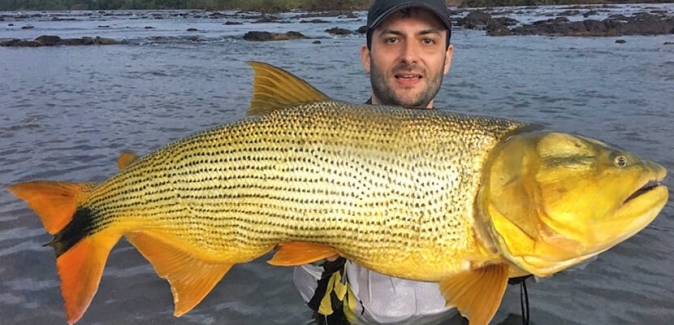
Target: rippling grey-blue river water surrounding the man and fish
point(67, 112)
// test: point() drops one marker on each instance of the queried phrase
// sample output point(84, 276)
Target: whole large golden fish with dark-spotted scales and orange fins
point(430, 195)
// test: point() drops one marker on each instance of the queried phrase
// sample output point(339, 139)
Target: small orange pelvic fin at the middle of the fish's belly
point(298, 253)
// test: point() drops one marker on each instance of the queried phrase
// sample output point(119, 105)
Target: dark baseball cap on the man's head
point(381, 9)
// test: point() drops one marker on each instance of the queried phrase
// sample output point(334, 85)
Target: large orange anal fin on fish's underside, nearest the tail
point(191, 279)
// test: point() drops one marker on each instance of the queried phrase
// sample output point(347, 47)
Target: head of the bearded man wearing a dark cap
point(408, 59)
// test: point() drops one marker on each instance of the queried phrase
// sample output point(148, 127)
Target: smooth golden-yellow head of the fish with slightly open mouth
point(551, 200)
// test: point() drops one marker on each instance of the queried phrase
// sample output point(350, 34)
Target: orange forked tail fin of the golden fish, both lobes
point(81, 249)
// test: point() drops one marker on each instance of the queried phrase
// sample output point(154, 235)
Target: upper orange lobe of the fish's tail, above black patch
point(54, 202)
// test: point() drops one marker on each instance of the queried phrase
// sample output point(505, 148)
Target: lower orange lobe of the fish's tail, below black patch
point(80, 269)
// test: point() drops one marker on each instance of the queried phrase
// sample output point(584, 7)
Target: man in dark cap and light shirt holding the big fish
point(407, 54)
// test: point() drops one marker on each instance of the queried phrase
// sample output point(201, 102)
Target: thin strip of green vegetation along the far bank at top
point(259, 5)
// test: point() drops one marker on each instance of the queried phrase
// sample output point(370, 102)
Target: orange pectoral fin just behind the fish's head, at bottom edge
point(477, 293)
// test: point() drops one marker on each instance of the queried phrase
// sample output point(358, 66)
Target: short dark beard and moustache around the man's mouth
point(387, 96)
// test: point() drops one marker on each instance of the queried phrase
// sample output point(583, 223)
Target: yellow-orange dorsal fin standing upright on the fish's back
point(275, 88)
